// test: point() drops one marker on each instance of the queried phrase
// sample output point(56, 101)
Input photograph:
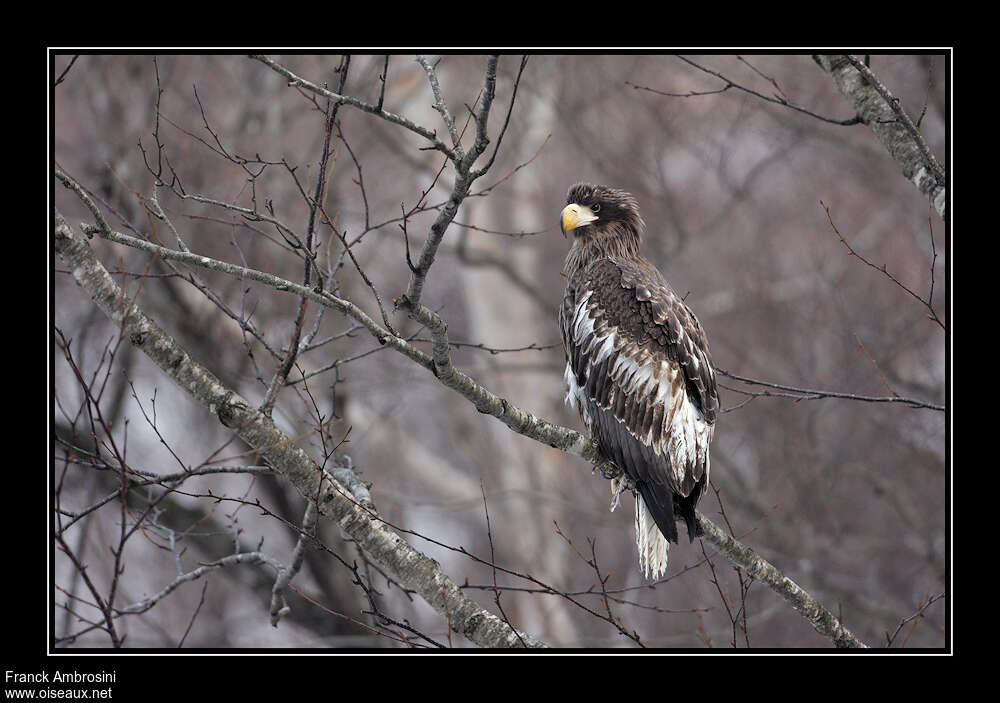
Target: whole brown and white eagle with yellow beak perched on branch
point(638, 369)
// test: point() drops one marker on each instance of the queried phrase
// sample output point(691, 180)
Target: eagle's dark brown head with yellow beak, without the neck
point(592, 209)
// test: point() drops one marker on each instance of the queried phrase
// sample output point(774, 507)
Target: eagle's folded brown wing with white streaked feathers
point(639, 372)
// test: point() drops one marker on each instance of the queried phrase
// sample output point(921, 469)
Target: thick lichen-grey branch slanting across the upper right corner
point(885, 116)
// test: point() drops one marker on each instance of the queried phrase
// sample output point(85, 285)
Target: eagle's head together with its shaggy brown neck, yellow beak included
point(604, 222)
